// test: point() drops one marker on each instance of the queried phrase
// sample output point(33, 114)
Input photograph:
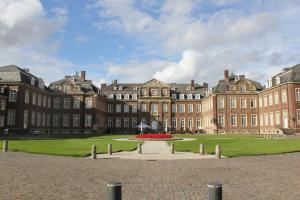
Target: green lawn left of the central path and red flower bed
point(78, 147)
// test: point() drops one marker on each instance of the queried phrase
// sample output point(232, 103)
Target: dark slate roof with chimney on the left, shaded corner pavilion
point(86, 86)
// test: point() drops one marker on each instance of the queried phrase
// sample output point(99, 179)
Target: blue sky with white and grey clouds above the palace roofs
point(136, 40)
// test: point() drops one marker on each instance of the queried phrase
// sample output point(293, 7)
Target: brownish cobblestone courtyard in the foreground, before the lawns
point(29, 176)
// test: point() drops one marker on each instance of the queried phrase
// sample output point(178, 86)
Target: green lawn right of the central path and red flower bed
point(238, 145)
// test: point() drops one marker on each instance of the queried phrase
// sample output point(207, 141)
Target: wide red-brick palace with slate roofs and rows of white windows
point(74, 105)
